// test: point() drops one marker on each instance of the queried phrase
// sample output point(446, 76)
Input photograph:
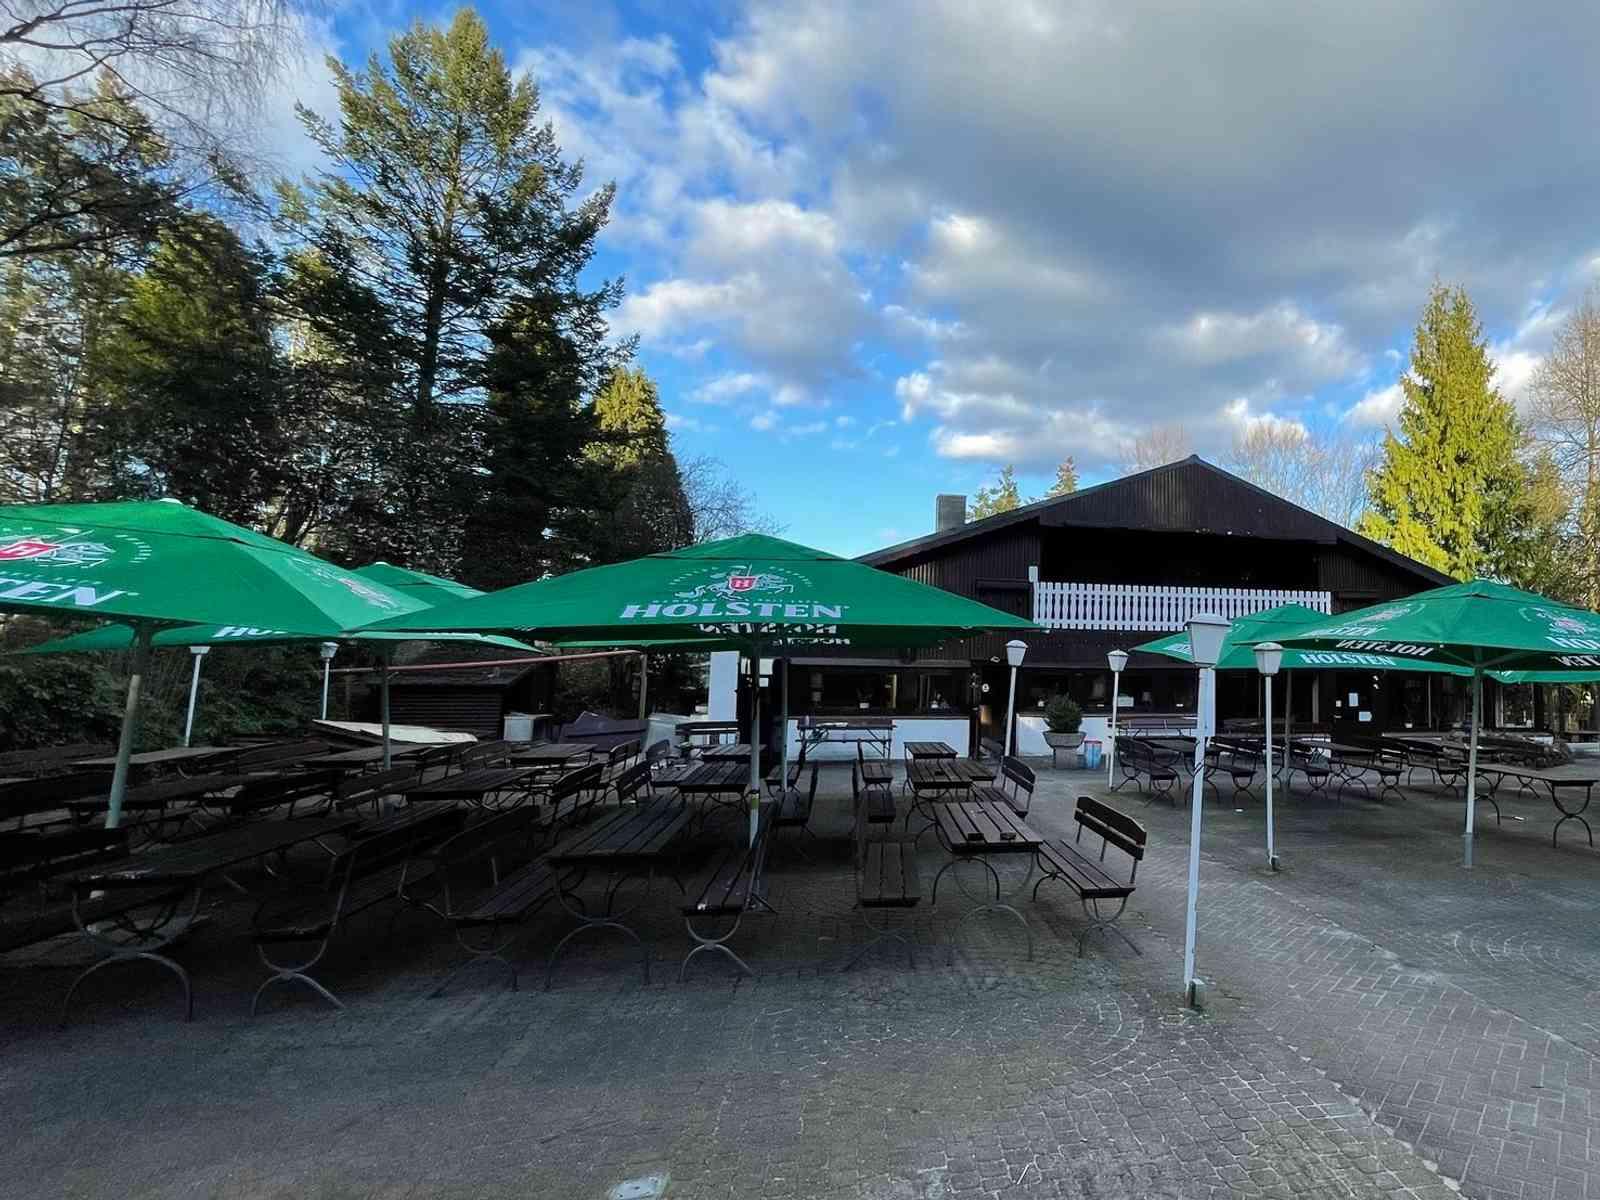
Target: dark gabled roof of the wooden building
point(1190, 495)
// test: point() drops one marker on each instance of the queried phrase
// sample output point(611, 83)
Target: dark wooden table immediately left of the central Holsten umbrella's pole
point(630, 844)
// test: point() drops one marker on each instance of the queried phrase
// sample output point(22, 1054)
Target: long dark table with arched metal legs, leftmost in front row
point(177, 878)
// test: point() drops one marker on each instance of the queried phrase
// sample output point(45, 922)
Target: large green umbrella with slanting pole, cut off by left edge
point(159, 564)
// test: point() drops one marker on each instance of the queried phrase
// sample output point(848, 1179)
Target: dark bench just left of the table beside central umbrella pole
point(486, 913)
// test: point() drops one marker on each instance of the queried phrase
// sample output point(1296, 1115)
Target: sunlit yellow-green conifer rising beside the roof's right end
point(1449, 482)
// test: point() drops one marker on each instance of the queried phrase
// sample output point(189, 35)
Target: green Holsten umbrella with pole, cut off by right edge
point(1482, 626)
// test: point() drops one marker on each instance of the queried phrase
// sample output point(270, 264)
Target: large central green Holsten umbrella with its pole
point(751, 593)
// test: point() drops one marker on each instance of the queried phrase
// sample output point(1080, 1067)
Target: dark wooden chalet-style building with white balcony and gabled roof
point(1119, 564)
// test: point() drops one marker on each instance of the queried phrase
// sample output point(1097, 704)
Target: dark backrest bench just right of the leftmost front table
point(364, 876)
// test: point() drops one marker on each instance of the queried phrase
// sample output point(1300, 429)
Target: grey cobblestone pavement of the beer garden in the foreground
point(1382, 1023)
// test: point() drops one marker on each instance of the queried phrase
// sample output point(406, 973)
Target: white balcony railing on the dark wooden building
point(1156, 609)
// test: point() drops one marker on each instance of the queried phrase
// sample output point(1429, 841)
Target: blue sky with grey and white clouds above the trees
point(878, 250)
